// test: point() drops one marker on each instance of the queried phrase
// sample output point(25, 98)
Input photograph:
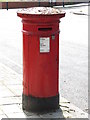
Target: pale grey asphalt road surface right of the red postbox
point(74, 55)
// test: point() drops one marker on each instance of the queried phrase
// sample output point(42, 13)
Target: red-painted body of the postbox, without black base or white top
point(40, 70)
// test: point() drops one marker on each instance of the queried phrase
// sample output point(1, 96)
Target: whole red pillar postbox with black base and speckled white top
point(40, 58)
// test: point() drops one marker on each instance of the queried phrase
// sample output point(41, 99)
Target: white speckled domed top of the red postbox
point(40, 11)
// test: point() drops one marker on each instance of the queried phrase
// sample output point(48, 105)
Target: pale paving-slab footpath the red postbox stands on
point(11, 103)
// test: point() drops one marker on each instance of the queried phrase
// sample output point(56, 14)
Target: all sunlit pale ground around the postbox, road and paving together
point(73, 65)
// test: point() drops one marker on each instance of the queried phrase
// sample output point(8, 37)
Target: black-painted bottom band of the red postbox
point(35, 104)
